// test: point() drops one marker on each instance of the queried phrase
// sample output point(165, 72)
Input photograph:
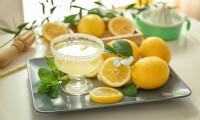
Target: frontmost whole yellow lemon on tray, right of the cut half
point(150, 73)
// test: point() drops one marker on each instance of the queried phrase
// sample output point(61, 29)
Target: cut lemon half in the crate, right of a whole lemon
point(120, 26)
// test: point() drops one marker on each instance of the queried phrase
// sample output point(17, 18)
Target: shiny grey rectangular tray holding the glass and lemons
point(174, 88)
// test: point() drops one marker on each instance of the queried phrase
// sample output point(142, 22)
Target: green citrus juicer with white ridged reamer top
point(161, 21)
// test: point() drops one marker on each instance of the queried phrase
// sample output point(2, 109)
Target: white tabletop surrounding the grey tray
point(16, 101)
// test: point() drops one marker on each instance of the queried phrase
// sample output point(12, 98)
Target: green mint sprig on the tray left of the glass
point(50, 79)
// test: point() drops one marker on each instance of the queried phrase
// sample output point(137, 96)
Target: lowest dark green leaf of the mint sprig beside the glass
point(54, 92)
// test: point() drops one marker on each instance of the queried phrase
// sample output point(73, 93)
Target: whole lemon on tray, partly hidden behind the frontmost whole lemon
point(154, 46)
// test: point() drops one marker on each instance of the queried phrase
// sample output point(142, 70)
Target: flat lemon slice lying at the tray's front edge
point(105, 95)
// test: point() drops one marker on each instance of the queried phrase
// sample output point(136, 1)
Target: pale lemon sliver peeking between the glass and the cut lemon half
point(96, 71)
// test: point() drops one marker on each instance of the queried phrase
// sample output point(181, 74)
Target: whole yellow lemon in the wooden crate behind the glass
point(91, 24)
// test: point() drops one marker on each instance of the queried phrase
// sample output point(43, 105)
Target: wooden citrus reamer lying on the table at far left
point(21, 43)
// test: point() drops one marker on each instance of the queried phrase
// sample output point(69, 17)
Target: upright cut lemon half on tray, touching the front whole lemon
point(114, 76)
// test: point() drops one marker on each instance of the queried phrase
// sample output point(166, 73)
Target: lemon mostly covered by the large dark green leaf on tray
point(136, 51)
